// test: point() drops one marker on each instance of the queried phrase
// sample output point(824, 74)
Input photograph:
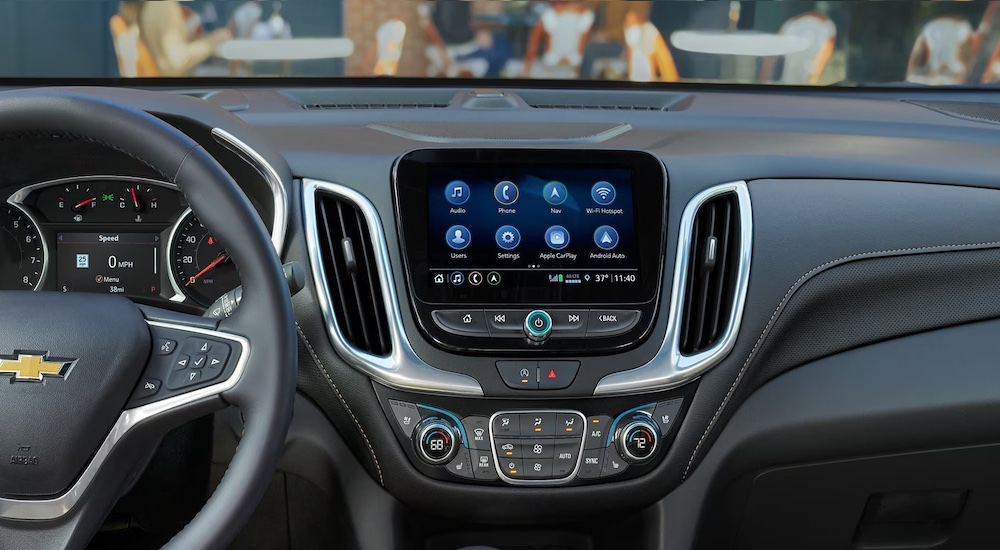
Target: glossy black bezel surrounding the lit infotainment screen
point(411, 187)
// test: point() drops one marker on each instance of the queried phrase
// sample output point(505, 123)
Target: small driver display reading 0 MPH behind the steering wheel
point(109, 263)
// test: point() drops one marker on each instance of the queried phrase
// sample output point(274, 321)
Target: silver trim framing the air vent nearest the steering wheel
point(403, 369)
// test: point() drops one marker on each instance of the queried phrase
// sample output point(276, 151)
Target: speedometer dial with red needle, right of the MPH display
point(202, 267)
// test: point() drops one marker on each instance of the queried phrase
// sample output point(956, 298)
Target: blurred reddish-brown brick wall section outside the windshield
point(363, 17)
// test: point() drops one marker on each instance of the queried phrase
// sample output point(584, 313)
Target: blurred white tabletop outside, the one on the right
point(759, 44)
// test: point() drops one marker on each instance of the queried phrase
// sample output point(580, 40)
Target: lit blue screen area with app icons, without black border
point(531, 226)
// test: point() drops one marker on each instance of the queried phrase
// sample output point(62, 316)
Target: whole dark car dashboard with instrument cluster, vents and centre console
point(642, 317)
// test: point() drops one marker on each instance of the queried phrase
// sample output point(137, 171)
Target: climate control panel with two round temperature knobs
point(536, 447)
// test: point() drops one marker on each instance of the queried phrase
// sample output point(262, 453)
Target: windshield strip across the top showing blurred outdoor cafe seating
point(787, 42)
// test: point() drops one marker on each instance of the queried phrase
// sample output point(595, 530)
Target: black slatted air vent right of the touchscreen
point(711, 273)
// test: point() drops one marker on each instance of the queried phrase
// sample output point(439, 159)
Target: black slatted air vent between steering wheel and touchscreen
point(352, 275)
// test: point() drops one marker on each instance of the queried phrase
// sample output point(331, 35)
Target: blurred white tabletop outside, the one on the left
point(286, 49)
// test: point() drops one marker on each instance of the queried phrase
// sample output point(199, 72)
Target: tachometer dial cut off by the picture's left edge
point(22, 254)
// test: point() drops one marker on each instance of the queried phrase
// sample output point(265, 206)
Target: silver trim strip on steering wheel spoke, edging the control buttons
point(57, 507)
